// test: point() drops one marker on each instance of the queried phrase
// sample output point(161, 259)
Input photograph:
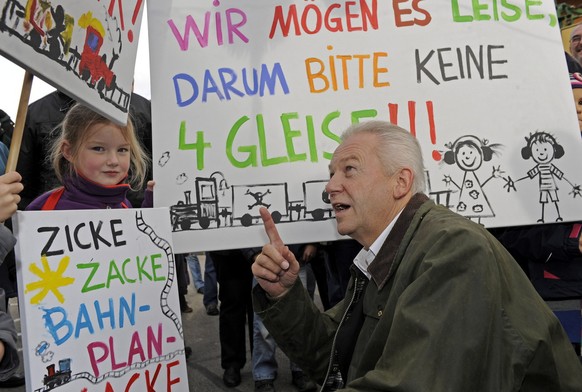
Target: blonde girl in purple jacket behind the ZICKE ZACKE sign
point(92, 158)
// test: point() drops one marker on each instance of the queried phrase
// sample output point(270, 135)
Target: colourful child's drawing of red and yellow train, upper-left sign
point(76, 45)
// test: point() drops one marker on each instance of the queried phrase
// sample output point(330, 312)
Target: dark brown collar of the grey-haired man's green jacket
point(380, 269)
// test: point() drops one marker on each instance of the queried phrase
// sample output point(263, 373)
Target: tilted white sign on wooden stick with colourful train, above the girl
point(84, 48)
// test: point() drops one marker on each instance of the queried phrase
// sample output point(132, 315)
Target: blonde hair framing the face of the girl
point(75, 128)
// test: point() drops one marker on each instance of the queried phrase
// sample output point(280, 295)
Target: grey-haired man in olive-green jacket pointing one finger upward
point(435, 302)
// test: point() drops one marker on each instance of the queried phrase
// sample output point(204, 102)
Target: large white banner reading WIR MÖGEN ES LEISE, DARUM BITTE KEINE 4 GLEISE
point(249, 99)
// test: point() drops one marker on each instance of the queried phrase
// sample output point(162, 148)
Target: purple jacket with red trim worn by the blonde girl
point(82, 194)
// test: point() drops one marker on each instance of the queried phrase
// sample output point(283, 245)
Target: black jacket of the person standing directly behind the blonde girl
point(42, 126)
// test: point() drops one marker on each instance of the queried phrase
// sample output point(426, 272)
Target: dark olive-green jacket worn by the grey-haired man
point(447, 309)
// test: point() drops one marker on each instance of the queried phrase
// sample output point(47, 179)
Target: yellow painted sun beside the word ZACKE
point(50, 281)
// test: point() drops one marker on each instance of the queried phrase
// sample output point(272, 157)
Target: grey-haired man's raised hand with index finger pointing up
point(275, 268)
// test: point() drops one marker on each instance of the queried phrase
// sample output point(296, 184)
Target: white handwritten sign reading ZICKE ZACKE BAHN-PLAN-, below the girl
point(98, 301)
